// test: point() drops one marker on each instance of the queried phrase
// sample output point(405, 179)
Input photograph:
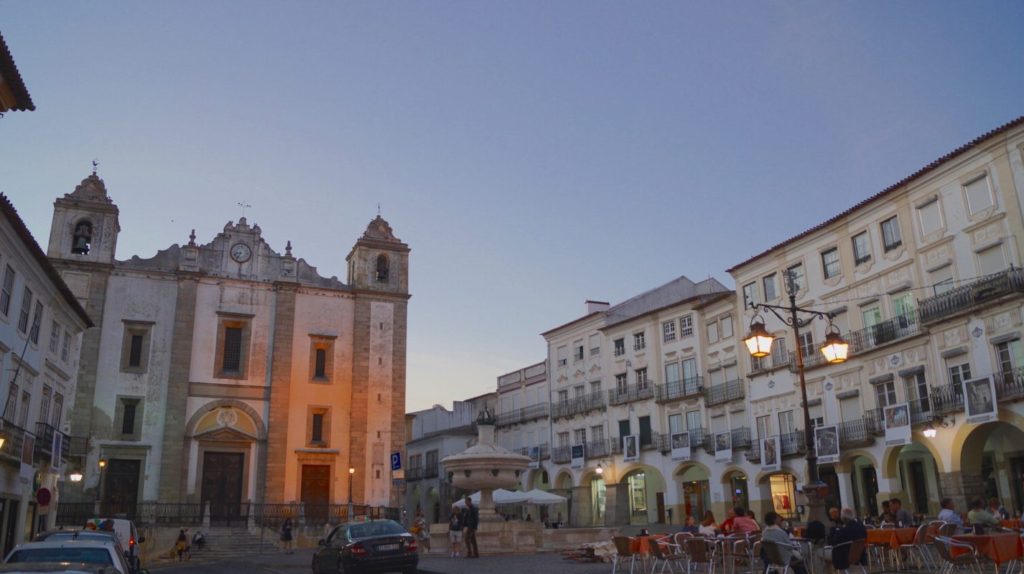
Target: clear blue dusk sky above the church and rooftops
point(534, 155)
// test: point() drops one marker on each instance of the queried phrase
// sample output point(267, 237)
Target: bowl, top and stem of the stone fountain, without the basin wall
point(486, 467)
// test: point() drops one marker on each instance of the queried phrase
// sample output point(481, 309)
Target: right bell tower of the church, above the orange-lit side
point(379, 261)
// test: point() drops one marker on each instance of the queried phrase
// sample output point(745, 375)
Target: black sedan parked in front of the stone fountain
point(374, 546)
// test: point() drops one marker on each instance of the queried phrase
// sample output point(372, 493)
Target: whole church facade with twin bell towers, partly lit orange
point(228, 372)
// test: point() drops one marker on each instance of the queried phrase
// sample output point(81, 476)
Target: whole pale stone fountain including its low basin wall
point(486, 467)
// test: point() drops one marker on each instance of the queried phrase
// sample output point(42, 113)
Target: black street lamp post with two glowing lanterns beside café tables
point(835, 350)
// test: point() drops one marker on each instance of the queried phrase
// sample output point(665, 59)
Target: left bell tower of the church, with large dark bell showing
point(86, 225)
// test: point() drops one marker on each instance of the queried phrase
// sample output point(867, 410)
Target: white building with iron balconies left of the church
point(41, 325)
